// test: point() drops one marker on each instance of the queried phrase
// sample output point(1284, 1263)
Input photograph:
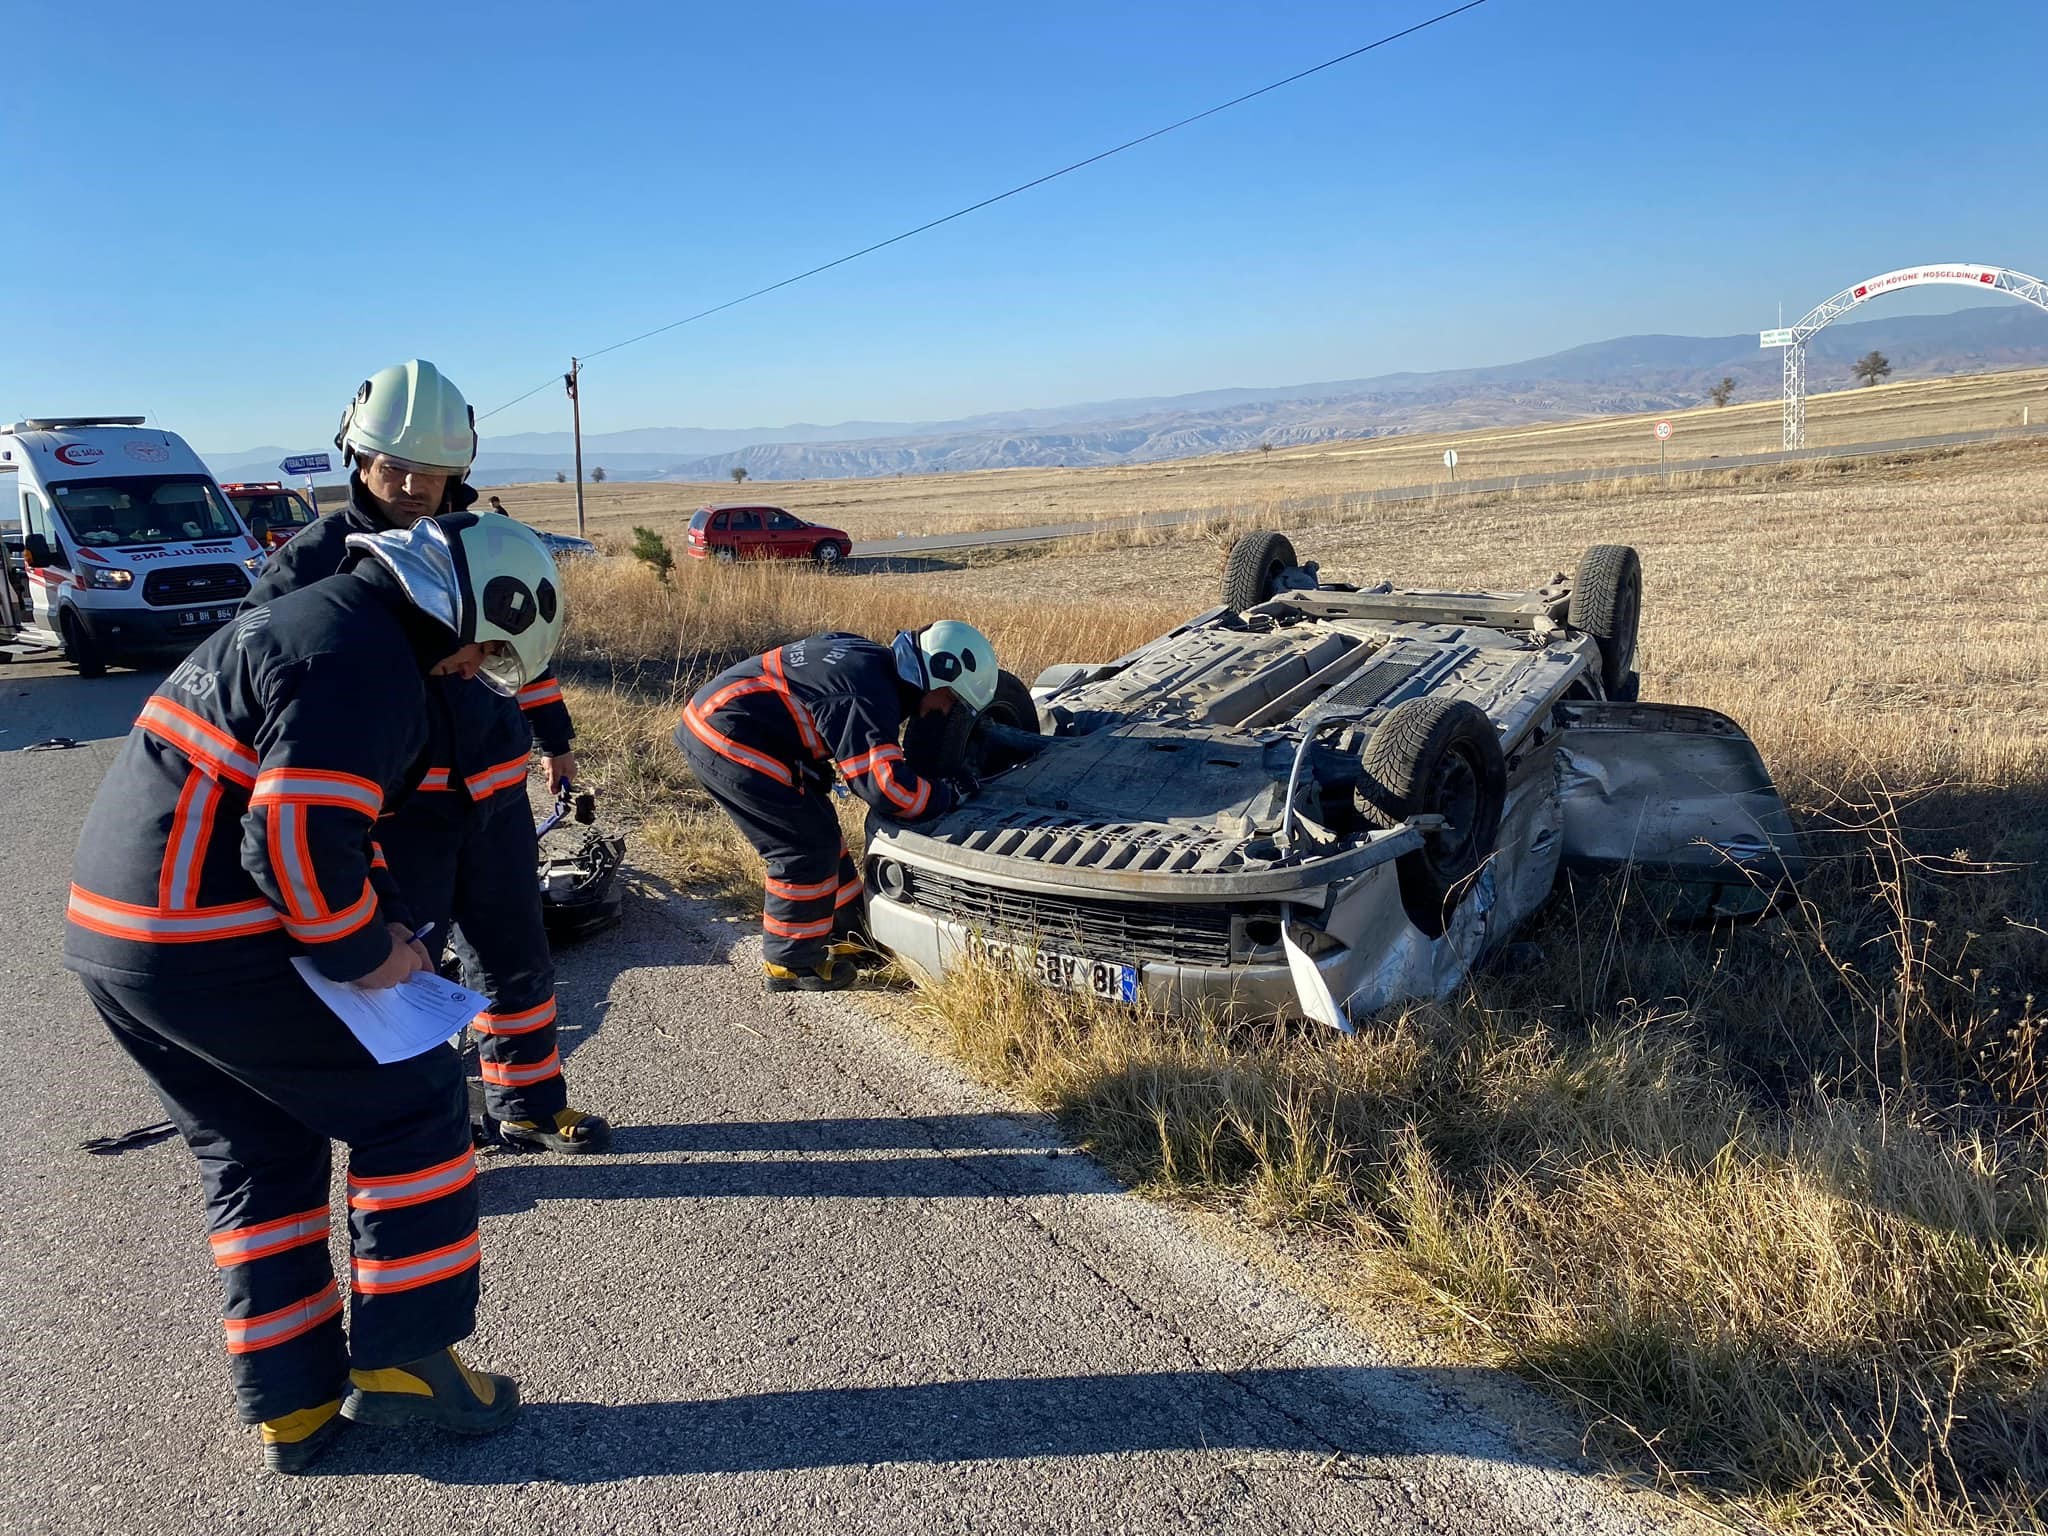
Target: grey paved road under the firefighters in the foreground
point(822, 1287)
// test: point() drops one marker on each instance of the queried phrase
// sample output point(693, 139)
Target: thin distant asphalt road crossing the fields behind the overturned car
point(1396, 495)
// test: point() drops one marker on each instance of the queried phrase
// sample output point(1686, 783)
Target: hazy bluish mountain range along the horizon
point(1633, 374)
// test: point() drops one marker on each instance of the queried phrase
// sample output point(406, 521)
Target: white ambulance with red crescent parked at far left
point(128, 546)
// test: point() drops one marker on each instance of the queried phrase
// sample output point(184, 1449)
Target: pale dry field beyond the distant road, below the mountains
point(884, 509)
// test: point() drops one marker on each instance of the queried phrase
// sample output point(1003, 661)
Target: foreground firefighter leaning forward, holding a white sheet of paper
point(232, 835)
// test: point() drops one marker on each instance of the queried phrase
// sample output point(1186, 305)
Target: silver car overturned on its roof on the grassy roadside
point(1322, 800)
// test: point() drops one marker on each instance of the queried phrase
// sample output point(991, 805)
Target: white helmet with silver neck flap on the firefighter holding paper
point(486, 581)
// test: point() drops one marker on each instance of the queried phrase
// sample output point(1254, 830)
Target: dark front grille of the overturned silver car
point(1097, 929)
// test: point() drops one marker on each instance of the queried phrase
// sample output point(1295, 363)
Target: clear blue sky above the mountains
point(230, 214)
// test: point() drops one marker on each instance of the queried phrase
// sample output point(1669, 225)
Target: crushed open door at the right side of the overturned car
point(1680, 800)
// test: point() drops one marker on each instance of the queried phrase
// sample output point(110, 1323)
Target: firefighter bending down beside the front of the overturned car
point(765, 740)
